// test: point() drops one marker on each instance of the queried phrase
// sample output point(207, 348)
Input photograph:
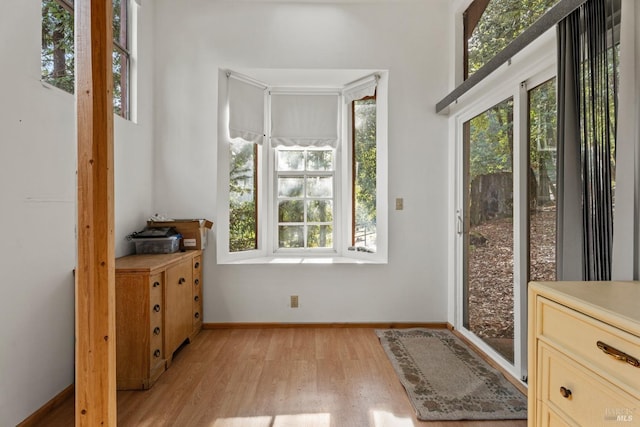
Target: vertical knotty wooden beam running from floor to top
point(95, 274)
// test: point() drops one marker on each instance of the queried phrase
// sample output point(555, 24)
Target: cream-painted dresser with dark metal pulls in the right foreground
point(584, 354)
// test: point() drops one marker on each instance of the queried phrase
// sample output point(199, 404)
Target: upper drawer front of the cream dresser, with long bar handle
point(579, 335)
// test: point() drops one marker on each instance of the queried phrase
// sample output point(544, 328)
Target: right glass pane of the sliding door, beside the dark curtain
point(542, 182)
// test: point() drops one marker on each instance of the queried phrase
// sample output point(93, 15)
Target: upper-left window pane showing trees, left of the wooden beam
point(57, 46)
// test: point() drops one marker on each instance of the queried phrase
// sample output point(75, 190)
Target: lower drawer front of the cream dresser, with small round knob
point(584, 397)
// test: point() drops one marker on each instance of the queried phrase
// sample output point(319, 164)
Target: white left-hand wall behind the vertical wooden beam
point(38, 210)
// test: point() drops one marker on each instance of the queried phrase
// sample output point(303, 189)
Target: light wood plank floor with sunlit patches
point(316, 377)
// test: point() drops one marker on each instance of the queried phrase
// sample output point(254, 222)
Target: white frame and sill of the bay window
point(268, 251)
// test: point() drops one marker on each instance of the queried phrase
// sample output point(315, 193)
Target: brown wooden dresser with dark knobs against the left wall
point(158, 308)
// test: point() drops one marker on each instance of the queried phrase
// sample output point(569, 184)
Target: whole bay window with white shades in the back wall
point(302, 173)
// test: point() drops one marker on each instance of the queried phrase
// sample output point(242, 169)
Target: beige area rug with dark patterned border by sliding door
point(445, 380)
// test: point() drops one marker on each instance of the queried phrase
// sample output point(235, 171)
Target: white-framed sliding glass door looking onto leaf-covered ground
point(506, 217)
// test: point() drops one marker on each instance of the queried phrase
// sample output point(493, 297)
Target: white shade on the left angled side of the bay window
point(246, 110)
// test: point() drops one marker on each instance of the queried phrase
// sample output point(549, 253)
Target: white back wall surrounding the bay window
point(195, 38)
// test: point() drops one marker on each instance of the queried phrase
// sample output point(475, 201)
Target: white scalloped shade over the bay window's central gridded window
point(304, 120)
